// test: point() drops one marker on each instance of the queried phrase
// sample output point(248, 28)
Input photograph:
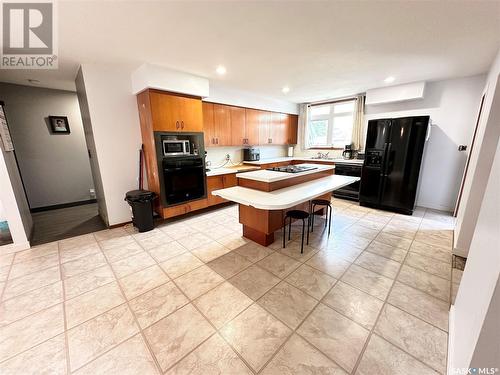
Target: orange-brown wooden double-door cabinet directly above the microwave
point(173, 112)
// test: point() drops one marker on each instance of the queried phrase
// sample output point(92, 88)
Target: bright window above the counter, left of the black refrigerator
point(330, 125)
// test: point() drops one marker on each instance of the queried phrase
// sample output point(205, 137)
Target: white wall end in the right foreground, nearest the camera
point(477, 287)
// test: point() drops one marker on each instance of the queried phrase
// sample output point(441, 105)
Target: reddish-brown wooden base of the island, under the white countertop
point(260, 225)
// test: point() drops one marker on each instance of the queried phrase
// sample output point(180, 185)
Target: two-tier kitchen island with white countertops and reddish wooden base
point(264, 196)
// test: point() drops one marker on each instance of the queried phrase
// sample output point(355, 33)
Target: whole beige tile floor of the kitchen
point(194, 297)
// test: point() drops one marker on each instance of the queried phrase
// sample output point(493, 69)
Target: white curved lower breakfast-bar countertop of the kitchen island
point(287, 197)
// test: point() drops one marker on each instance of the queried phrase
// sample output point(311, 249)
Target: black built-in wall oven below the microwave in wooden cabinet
point(183, 179)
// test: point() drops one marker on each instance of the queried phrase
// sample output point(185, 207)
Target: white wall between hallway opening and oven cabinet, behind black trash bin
point(112, 110)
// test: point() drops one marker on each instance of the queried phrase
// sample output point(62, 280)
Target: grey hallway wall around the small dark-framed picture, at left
point(55, 167)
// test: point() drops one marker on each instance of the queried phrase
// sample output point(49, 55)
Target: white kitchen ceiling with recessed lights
point(319, 49)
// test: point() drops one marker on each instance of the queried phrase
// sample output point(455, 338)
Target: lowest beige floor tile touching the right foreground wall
point(420, 339)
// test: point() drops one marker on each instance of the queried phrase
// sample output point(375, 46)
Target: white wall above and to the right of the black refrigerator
point(453, 106)
